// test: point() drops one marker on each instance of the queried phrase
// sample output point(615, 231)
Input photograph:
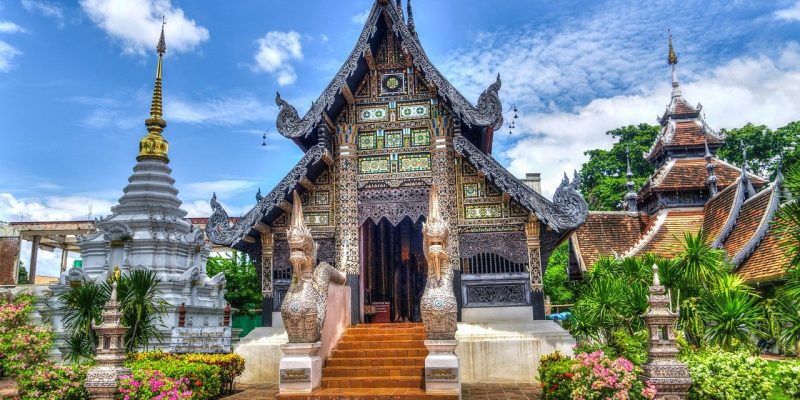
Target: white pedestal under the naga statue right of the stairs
point(442, 372)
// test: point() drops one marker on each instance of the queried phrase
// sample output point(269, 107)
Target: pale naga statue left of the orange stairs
point(303, 308)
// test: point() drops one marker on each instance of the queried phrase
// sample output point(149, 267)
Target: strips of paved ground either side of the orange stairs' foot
point(477, 391)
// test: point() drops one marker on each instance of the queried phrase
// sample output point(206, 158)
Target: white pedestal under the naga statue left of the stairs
point(300, 367)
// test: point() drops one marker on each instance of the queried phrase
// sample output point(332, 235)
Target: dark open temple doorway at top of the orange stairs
point(393, 270)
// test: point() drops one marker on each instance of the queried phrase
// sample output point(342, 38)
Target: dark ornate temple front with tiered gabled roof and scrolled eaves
point(387, 128)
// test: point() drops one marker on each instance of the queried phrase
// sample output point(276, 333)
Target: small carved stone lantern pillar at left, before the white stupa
point(102, 381)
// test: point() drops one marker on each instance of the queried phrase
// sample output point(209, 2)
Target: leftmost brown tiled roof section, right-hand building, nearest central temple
point(606, 233)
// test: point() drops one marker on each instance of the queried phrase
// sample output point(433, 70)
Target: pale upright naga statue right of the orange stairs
point(438, 304)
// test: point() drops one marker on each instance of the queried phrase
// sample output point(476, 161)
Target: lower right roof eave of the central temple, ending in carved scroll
point(567, 211)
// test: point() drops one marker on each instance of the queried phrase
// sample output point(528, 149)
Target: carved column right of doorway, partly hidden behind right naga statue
point(444, 177)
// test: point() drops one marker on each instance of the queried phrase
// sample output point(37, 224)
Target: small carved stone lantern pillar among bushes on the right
point(663, 370)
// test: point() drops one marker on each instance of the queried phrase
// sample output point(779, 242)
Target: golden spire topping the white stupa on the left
point(154, 145)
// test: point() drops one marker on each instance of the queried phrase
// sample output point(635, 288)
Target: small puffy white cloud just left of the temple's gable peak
point(275, 51)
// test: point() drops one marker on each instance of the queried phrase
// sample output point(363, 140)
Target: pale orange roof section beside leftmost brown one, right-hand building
point(667, 232)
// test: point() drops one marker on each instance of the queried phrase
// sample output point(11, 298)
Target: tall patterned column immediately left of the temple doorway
point(346, 214)
